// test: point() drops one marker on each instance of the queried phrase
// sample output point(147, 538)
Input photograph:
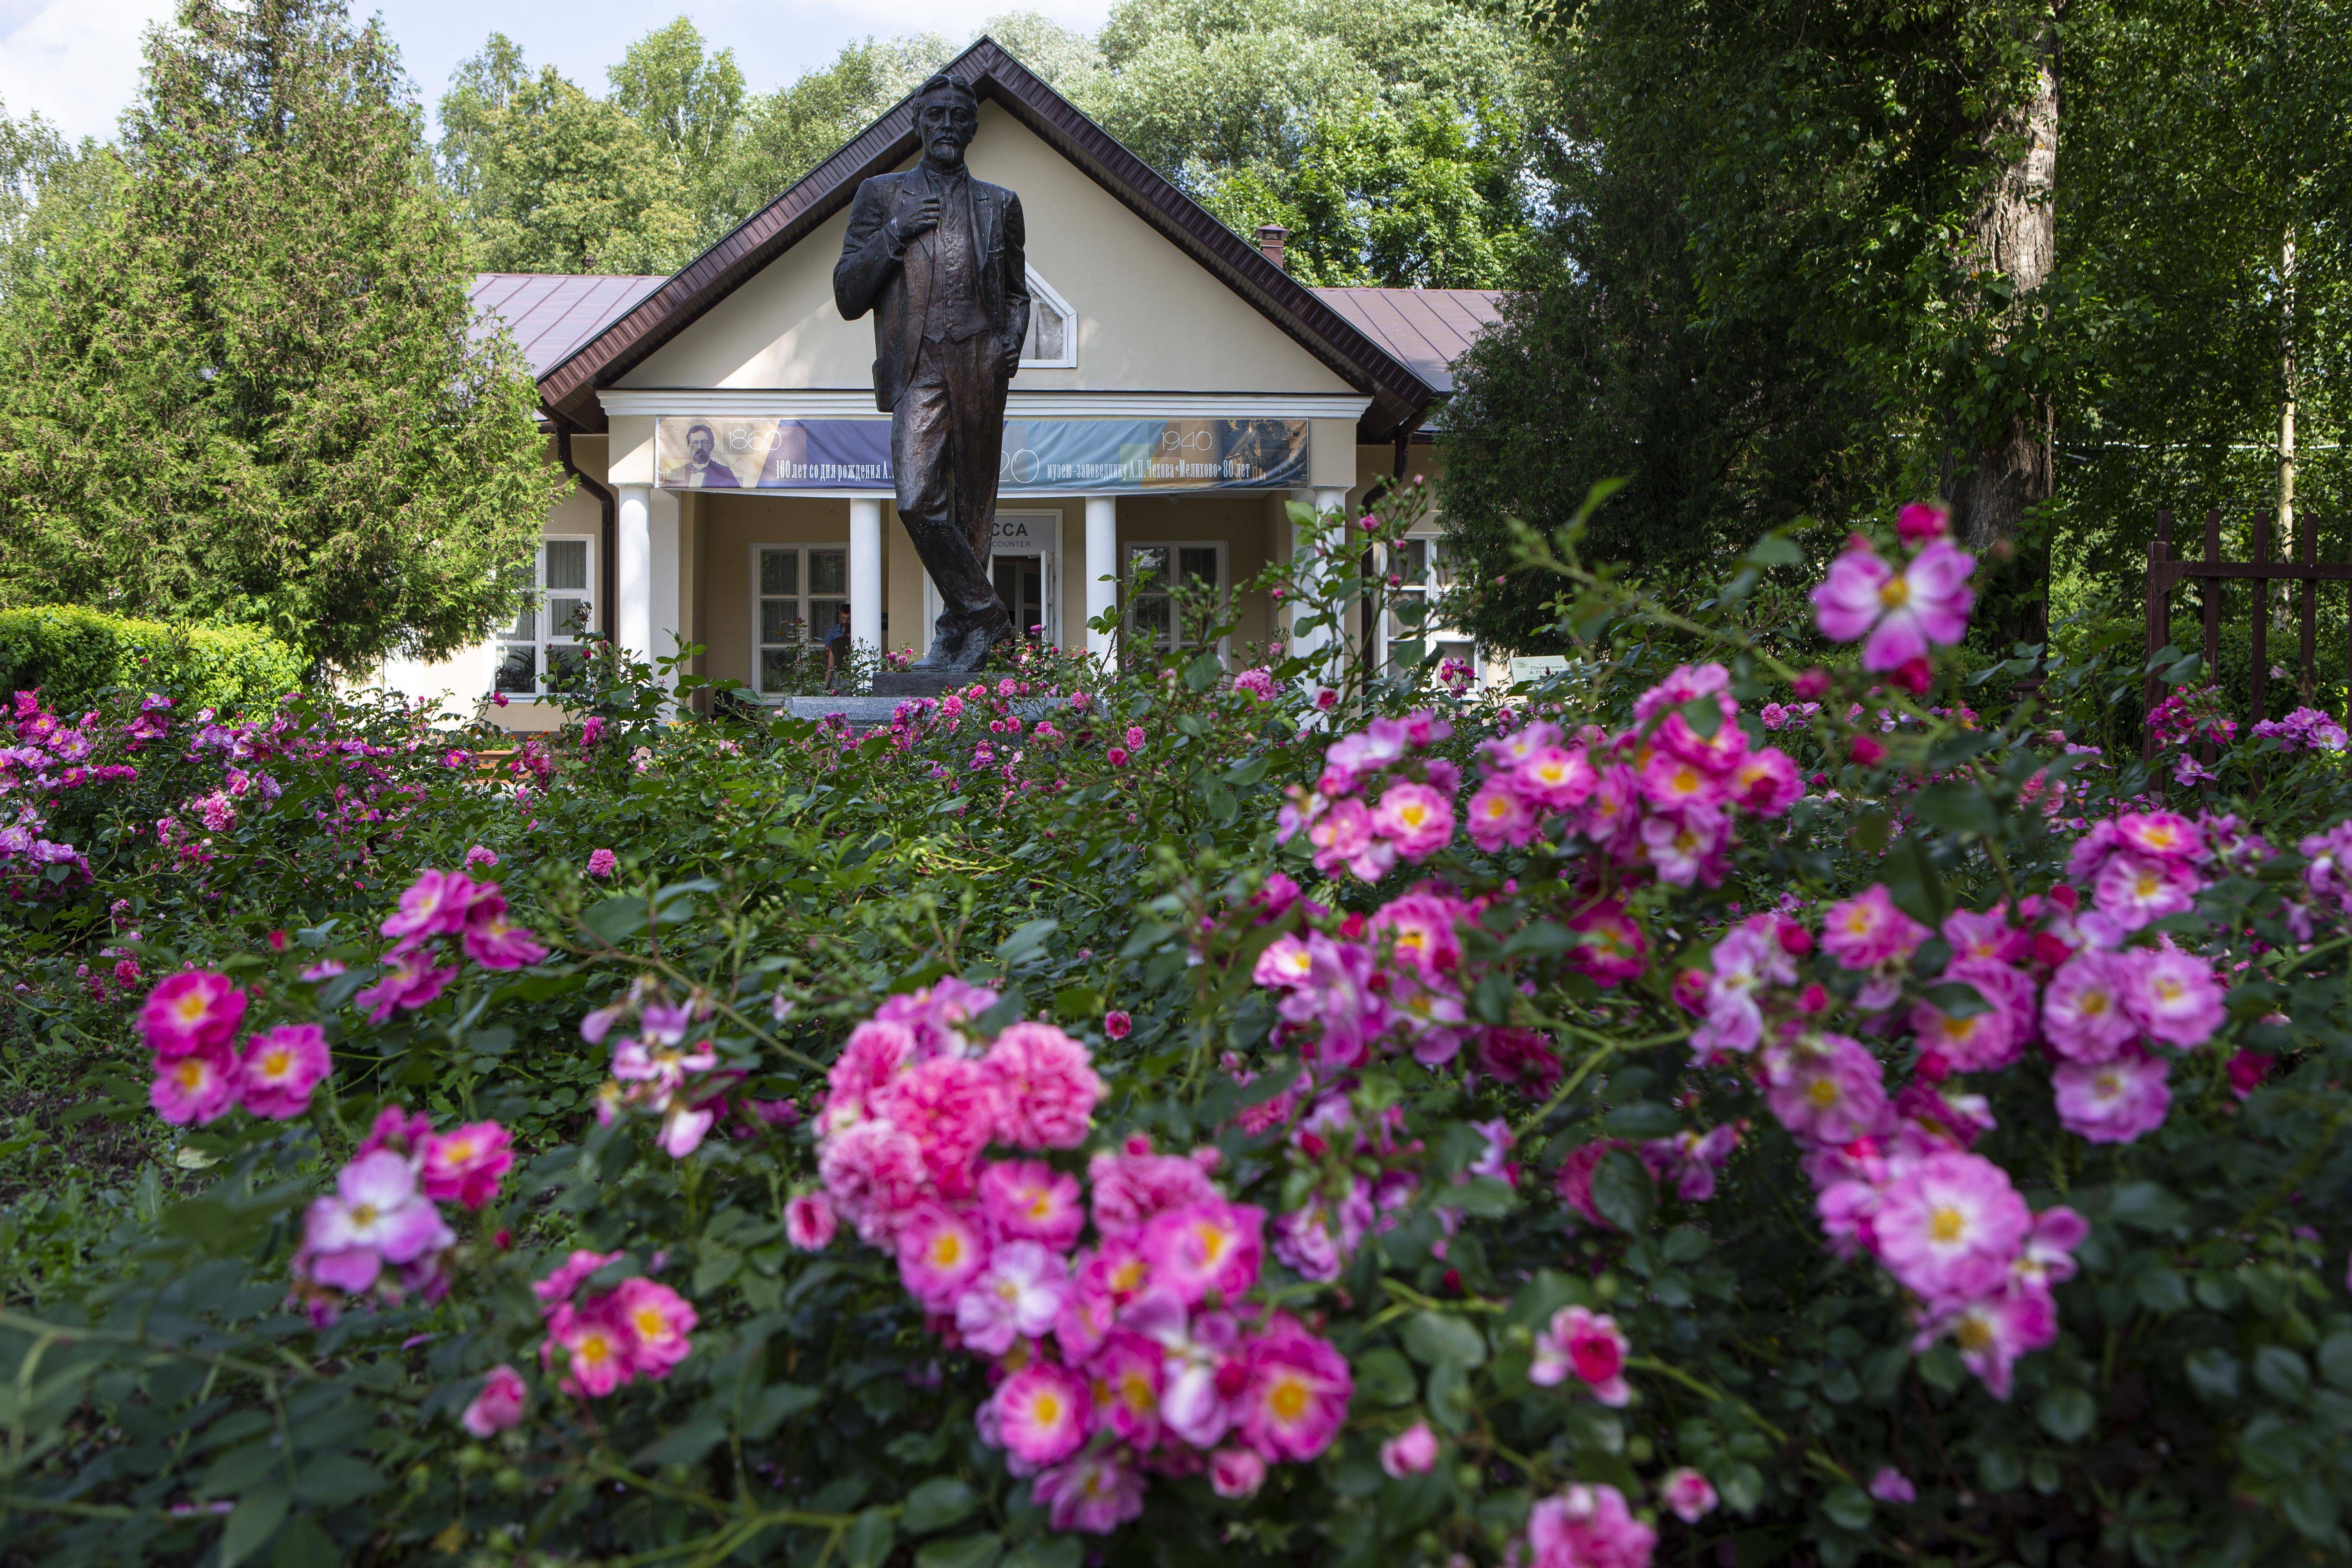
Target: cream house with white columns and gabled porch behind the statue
point(1175, 396)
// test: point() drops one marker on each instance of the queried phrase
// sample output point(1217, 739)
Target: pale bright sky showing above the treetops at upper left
point(79, 60)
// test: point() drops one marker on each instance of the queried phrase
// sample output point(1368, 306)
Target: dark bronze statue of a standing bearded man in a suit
point(937, 257)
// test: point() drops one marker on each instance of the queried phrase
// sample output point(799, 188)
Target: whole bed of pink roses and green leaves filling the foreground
point(1725, 1111)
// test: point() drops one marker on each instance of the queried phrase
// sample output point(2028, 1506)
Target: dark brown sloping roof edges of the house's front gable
point(1398, 391)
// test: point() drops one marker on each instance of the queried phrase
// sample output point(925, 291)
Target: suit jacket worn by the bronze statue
point(900, 288)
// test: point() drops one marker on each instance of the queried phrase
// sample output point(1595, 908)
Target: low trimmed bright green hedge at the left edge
point(74, 655)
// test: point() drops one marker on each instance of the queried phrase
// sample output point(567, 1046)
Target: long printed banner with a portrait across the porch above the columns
point(1043, 457)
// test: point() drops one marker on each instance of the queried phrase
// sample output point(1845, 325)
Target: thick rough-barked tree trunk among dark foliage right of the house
point(2014, 234)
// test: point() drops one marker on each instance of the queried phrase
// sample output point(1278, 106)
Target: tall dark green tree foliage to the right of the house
point(1756, 295)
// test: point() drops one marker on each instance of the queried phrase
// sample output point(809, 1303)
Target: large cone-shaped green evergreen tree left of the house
point(246, 389)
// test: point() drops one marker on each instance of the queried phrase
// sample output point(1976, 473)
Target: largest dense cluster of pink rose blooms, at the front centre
point(1118, 1308)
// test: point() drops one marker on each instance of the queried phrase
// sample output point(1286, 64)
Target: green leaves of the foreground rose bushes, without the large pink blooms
point(161, 1398)
